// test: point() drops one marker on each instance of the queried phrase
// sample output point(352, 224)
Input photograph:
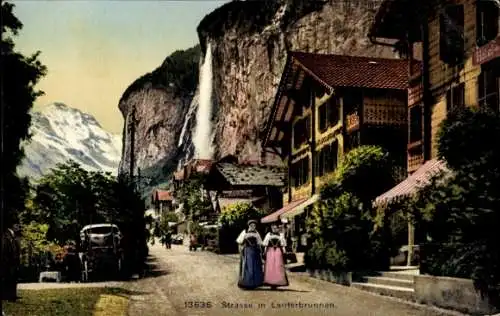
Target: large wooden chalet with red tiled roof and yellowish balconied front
point(325, 106)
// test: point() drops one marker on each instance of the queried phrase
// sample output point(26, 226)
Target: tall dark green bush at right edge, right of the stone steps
point(461, 211)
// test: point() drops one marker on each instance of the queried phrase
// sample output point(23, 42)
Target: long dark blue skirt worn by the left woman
point(251, 275)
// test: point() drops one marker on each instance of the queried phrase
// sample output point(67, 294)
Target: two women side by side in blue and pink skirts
point(253, 250)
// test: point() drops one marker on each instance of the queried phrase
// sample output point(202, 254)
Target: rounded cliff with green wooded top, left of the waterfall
point(154, 107)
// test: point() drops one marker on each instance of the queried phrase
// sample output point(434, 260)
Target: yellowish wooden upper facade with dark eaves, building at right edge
point(460, 57)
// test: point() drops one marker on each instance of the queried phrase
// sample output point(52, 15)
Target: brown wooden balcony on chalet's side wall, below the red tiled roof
point(384, 114)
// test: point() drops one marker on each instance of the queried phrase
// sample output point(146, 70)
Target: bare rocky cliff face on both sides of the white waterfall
point(249, 41)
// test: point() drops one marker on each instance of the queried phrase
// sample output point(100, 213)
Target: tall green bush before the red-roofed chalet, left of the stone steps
point(342, 223)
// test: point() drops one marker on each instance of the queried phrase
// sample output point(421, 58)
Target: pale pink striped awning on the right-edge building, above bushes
point(420, 178)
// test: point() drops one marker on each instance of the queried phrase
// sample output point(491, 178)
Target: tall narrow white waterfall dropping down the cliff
point(203, 131)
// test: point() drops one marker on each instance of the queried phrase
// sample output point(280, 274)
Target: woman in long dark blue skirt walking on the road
point(251, 275)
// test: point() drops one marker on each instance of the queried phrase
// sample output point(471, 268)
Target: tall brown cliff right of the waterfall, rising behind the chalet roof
point(248, 64)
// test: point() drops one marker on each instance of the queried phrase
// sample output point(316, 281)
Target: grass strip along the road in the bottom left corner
point(70, 302)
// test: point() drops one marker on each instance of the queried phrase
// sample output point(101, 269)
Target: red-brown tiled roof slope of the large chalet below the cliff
point(355, 71)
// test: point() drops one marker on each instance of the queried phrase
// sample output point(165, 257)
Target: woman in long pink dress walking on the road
point(274, 268)
